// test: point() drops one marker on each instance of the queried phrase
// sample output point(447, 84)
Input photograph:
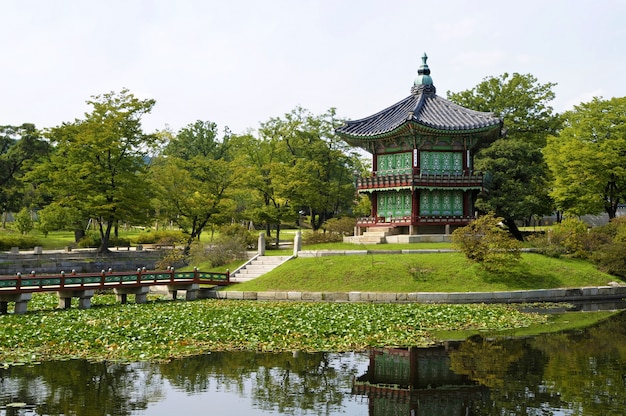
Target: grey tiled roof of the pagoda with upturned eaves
point(422, 108)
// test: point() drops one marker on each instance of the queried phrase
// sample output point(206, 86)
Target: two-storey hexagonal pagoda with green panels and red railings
point(422, 180)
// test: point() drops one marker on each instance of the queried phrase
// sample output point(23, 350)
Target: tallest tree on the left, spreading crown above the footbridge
point(98, 166)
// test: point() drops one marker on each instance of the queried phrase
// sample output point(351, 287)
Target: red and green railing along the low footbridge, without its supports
point(107, 279)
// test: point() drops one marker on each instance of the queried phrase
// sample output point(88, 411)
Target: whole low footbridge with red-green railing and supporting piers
point(19, 288)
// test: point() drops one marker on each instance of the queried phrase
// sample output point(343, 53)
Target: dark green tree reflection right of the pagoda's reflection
point(583, 370)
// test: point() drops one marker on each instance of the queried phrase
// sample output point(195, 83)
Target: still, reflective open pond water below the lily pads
point(580, 372)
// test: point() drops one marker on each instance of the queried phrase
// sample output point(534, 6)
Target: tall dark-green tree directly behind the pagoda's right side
point(514, 164)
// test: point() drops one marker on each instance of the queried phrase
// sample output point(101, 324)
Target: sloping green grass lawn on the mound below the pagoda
point(424, 272)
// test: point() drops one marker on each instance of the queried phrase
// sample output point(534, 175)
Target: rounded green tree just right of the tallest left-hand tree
point(194, 179)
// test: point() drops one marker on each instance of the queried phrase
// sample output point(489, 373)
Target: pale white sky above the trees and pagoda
point(240, 62)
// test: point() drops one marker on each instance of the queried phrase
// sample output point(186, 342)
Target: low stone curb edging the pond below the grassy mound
point(584, 294)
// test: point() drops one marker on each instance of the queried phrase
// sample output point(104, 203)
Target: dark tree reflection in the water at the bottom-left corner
point(82, 387)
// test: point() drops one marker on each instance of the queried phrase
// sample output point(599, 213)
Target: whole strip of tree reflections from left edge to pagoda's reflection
point(288, 382)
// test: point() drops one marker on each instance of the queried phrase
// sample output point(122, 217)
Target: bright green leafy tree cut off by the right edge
point(588, 158)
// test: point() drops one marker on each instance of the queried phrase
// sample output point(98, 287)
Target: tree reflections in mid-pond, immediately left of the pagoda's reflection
point(287, 382)
